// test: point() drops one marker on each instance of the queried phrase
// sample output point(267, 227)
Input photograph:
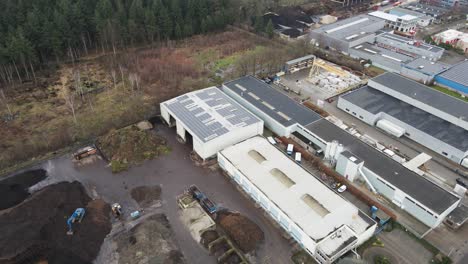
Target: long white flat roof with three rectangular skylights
point(314, 207)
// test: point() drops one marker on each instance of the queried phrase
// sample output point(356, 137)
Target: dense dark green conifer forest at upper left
point(36, 32)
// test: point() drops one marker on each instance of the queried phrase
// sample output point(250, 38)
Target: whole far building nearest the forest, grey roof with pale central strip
point(347, 33)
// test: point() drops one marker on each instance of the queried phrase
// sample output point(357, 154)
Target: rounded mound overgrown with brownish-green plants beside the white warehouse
point(129, 146)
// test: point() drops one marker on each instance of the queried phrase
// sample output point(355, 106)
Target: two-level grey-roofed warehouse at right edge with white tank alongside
point(404, 107)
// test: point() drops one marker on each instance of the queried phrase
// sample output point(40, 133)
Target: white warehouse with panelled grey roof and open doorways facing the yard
point(210, 119)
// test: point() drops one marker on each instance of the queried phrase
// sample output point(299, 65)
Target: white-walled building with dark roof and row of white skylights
point(278, 111)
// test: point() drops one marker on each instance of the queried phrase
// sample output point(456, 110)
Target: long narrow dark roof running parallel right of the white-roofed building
point(421, 189)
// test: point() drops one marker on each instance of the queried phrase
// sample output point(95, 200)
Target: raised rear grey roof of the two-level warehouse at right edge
point(424, 94)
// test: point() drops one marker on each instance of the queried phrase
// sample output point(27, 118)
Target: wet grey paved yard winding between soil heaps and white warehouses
point(175, 172)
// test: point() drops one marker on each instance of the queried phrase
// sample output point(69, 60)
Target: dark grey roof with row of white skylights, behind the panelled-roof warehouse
point(271, 101)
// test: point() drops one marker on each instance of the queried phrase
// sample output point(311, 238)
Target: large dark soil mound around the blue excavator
point(36, 229)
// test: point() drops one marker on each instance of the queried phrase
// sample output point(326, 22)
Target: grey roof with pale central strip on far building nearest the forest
point(346, 27)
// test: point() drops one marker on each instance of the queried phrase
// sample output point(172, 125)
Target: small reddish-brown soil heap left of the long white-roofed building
point(243, 231)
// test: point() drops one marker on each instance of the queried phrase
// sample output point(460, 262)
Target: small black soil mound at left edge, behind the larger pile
point(14, 190)
